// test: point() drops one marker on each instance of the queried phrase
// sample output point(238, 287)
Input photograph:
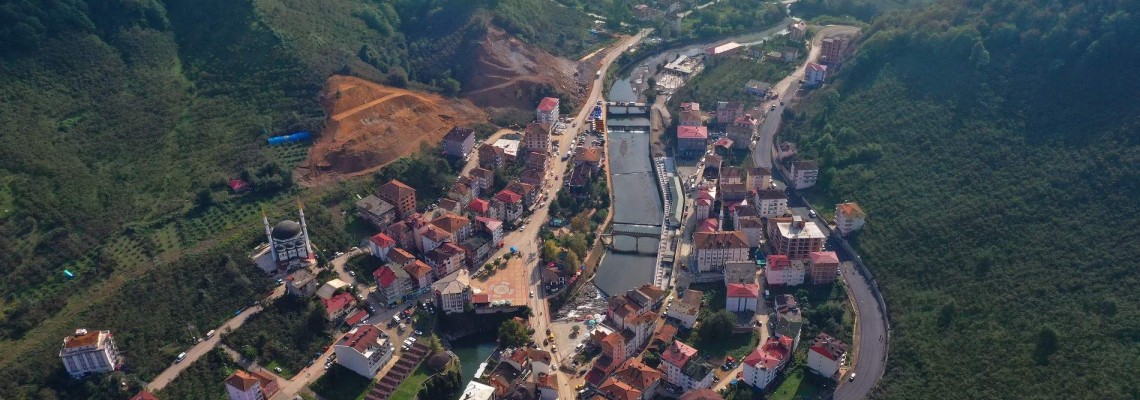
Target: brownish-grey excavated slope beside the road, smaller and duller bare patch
point(511, 74)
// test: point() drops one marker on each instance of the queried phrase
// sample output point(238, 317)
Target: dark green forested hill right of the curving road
point(996, 148)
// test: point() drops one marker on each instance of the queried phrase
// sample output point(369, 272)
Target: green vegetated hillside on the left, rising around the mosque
point(121, 121)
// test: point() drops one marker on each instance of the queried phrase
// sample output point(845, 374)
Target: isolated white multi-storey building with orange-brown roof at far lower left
point(89, 353)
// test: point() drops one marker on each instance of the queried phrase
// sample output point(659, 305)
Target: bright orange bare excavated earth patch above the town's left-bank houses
point(372, 125)
